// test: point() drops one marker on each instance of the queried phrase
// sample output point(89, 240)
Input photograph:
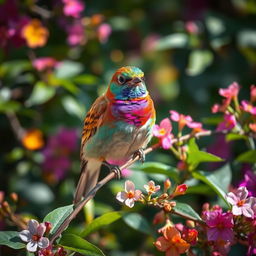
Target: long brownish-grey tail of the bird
point(90, 170)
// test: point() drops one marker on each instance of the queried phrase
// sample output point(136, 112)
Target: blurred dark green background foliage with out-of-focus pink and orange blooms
point(58, 56)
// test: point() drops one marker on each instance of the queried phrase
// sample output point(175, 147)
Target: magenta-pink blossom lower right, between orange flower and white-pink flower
point(219, 225)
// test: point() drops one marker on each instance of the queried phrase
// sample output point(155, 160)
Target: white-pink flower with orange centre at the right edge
point(241, 205)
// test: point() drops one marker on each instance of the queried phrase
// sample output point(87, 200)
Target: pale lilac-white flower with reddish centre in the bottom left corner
point(34, 236)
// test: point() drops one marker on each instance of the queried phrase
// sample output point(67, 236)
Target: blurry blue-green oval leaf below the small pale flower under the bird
point(137, 222)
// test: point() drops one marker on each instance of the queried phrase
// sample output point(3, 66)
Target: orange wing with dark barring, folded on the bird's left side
point(94, 119)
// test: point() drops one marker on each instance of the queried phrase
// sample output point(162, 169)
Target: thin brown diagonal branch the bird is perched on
point(112, 175)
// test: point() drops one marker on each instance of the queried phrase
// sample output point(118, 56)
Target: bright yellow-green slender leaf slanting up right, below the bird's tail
point(100, 222)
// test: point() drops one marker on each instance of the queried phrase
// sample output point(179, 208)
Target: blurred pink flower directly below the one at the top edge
point(76, 34)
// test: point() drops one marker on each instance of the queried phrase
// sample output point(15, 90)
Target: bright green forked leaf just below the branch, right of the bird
point(195, 156)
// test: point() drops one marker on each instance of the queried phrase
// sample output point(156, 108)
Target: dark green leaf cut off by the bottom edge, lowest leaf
point(78, 244)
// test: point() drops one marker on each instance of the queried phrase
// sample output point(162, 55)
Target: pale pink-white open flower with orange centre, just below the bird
point(130, 195)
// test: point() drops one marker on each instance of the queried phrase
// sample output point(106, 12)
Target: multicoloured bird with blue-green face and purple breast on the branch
point(117, 127)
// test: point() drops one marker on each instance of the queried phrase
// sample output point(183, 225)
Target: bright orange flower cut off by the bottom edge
point(171, 242)
